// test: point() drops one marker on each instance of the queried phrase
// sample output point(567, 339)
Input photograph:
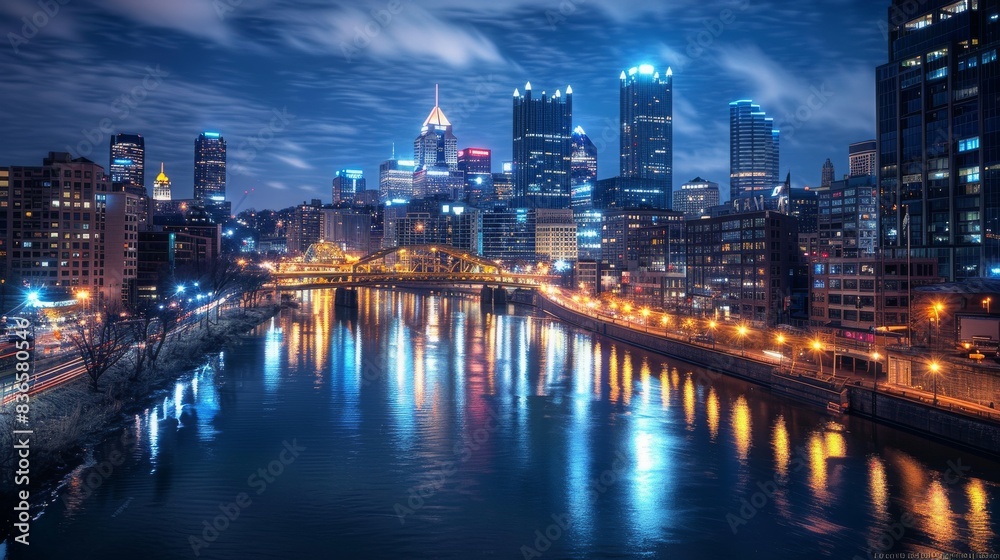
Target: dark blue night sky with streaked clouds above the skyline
point(348, 84)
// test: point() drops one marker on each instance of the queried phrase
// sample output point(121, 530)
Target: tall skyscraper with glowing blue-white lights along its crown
point(646, 104)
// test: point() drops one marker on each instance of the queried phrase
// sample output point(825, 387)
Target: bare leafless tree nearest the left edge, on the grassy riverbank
point(102, 340)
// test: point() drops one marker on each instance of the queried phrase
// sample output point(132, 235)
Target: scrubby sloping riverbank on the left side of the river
point(65, 419)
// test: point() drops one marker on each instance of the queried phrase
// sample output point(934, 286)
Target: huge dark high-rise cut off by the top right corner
point(938, 151)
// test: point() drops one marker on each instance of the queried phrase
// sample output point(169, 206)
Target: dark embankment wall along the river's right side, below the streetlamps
point(965, 431)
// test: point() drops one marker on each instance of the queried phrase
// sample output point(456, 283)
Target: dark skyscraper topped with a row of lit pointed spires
point(542, 148)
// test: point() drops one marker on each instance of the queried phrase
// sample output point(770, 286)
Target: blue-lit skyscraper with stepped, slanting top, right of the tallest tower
point(753, 151)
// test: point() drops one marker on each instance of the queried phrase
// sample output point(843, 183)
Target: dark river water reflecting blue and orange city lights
point(421, 427)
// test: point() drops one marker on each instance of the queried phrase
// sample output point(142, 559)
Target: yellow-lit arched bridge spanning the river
point(324, 265)
